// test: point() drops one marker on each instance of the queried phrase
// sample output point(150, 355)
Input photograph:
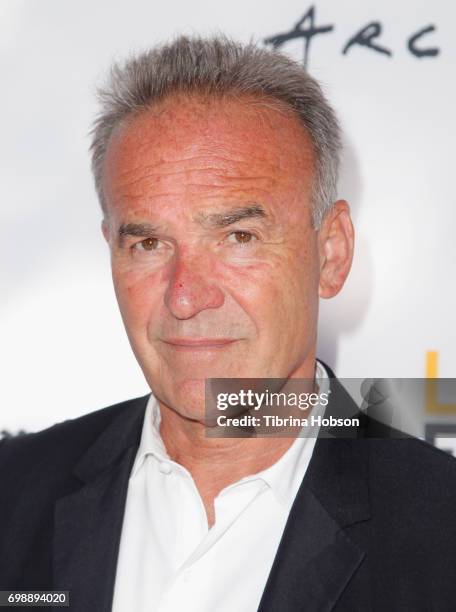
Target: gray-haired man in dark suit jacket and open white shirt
point(216, 168)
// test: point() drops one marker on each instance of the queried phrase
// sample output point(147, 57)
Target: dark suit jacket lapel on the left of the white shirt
point(88, 522)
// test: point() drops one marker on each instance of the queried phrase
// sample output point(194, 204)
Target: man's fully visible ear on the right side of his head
point(336, 241)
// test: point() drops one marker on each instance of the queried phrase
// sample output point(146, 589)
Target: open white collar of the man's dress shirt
point(283, 477)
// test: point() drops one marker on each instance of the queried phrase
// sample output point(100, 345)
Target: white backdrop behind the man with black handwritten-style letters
point(63, 348)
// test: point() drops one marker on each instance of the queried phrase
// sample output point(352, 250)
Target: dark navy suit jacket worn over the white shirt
point(373, 526)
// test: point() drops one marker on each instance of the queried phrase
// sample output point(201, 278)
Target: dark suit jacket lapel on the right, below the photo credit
point(316, 558)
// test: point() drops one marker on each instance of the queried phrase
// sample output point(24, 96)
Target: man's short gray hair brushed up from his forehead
point(217, 67)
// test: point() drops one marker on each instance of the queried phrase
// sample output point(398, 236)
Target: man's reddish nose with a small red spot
point(192, 287)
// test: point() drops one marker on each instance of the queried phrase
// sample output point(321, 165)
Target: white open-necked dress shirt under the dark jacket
point(170, 560)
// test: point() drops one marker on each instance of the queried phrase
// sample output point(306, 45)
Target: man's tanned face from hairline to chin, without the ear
point(215, 262)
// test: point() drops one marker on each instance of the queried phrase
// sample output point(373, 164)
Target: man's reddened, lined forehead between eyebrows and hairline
point(216, 148)
